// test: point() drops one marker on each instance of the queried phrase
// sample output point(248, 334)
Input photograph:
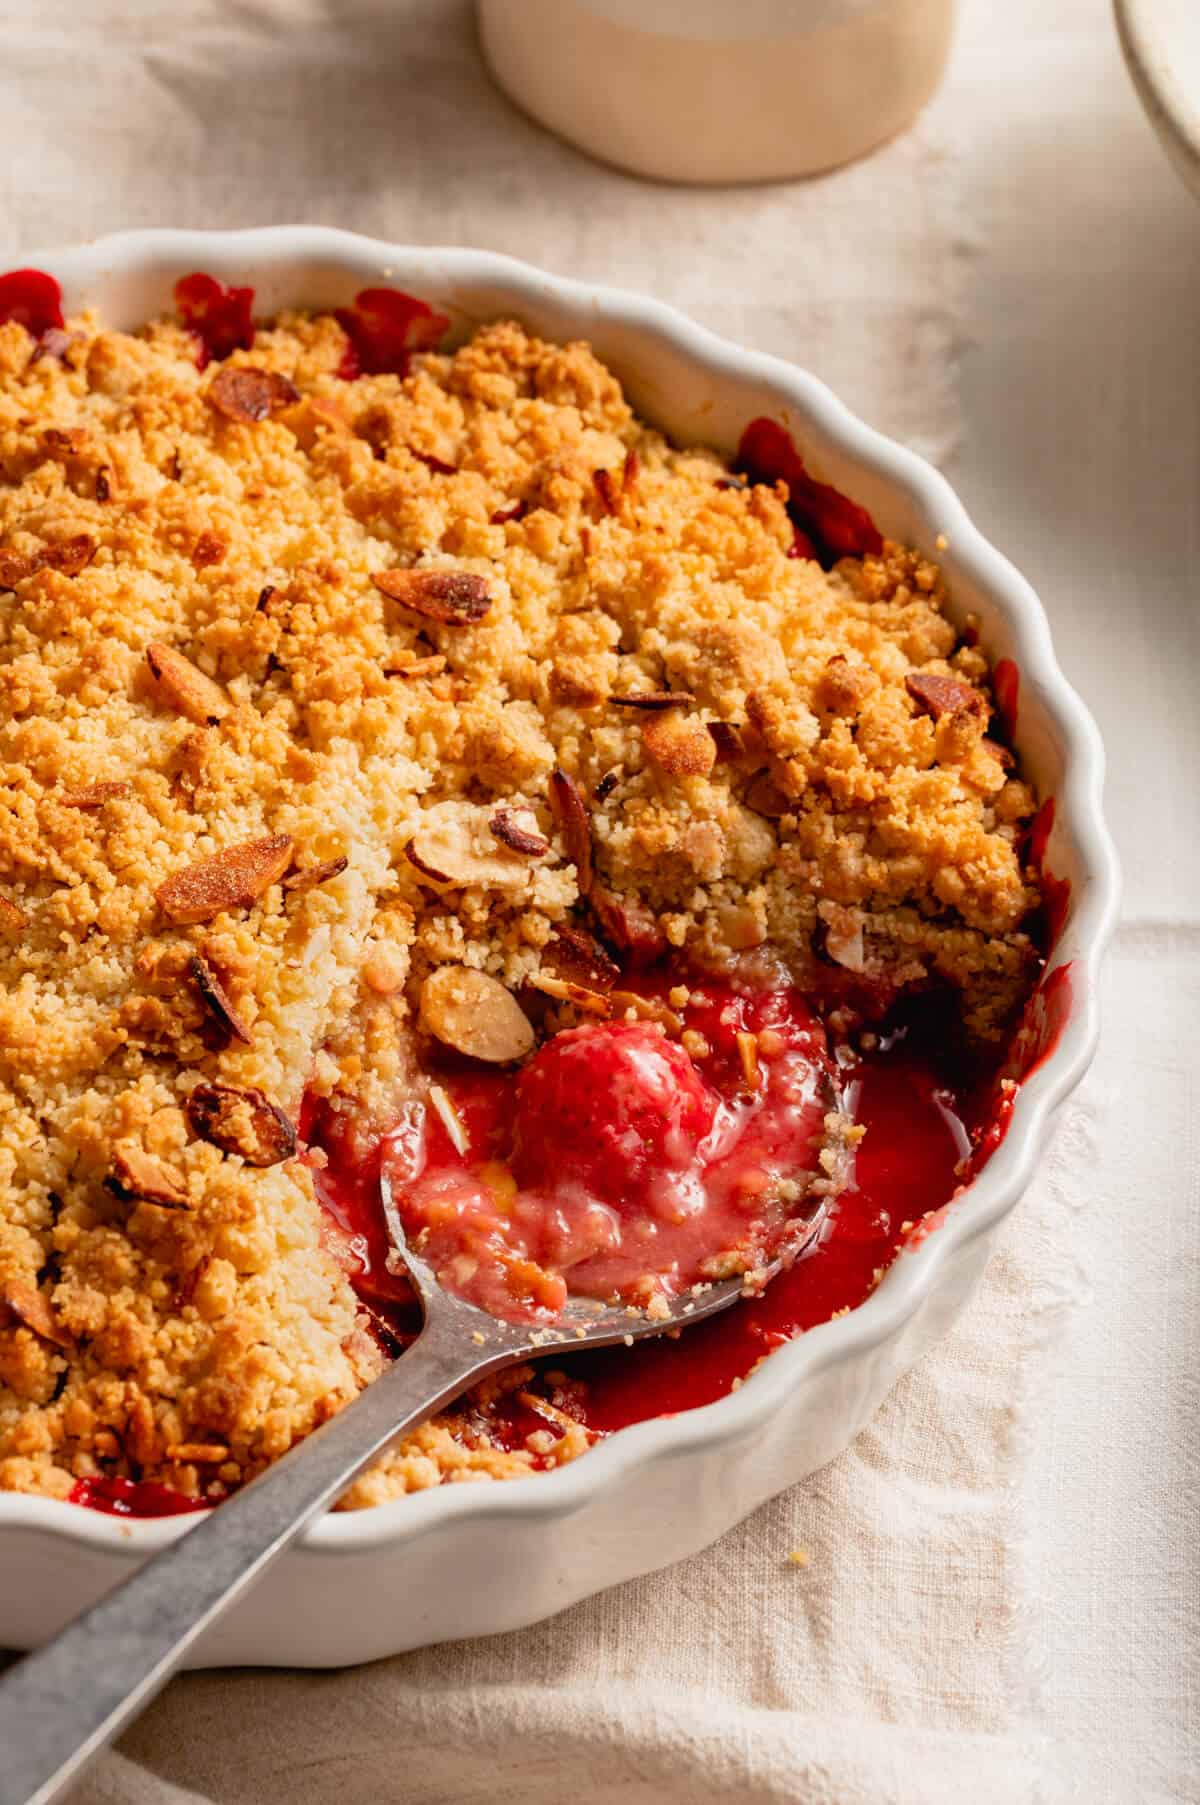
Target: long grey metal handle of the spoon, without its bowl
point(69, 1699)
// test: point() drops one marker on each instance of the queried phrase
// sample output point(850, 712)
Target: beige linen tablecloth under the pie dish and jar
point(1001, 1591)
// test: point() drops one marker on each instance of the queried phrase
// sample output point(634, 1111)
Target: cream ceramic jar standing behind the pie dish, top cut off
point(719, 91)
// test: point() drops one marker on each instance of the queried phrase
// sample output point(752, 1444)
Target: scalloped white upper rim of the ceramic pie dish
point(813, 411)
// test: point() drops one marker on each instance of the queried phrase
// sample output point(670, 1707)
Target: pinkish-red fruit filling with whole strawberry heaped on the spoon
point(618, 1163)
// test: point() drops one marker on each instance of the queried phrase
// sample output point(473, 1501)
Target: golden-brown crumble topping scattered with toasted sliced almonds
point(342, 712)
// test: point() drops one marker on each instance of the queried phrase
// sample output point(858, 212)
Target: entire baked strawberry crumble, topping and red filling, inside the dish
point(412, 757)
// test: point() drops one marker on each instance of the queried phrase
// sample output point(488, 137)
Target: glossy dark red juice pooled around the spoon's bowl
point(923, 1107)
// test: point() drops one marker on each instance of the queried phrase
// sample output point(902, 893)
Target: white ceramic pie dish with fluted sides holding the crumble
point(468, 1560)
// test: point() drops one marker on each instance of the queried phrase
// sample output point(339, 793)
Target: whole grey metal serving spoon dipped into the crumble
point(66, 1703)
